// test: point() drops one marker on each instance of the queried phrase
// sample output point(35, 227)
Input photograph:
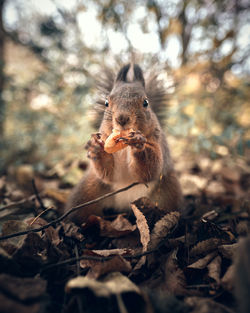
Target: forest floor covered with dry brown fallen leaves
point(142, 261)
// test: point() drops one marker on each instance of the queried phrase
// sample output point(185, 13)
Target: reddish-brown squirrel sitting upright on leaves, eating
point(145, 159)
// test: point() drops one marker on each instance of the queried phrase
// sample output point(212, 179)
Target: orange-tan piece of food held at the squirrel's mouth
point(113, 144)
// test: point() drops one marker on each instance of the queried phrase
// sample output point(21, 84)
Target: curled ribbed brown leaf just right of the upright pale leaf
point(163, 227)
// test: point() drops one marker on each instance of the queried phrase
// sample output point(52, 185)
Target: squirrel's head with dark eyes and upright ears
point(127, 105)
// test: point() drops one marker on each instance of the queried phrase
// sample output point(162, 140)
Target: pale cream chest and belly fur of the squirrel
point(123, 177)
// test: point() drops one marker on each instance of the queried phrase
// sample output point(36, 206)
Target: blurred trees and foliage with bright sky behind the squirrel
point(51, 52)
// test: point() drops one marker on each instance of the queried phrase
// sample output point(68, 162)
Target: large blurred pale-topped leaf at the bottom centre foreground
point(115, 293)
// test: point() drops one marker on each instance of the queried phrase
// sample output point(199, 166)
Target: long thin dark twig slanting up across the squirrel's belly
point(58, 220)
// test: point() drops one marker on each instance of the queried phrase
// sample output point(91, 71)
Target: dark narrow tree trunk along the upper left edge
point(2, 104)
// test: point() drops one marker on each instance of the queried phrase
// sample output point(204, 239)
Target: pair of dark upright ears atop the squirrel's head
point(130, 73)
